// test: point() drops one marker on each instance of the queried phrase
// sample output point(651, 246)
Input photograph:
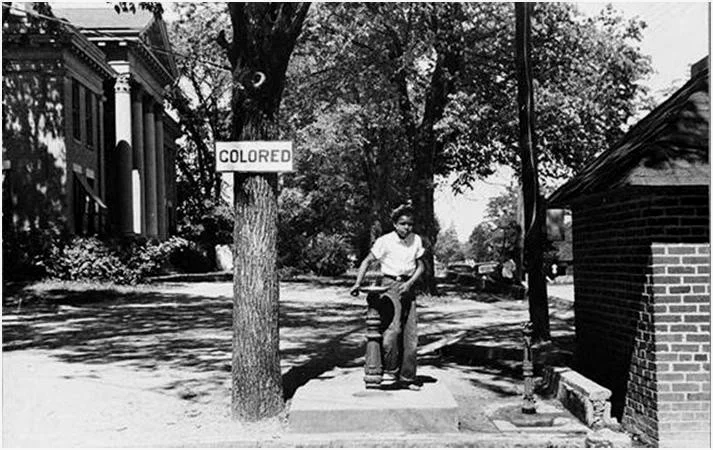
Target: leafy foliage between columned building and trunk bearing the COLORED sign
point(201, 99)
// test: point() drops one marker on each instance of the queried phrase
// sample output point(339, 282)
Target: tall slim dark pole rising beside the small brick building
point(533, 203)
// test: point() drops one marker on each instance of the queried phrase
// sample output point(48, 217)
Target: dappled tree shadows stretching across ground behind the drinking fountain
point(153, 330)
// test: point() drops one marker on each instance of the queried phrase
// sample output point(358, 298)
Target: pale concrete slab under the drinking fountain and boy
point(338, 402)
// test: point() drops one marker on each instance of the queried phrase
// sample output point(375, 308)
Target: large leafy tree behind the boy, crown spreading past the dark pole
point(443, 78)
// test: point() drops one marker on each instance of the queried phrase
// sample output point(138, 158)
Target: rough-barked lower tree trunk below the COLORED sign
point(257, 382)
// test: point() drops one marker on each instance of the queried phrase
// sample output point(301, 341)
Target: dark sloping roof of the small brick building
point(670, 146)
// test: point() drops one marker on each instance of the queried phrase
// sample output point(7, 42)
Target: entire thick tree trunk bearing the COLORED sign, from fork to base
point(263, 38)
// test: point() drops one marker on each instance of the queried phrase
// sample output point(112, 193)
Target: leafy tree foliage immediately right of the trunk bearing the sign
point(342, 110)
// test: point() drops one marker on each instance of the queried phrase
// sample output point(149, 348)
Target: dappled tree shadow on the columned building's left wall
point(35, 181)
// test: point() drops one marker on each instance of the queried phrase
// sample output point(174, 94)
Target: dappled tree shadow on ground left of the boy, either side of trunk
point(154, 330)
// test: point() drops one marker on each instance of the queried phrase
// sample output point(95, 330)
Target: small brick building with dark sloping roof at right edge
point(641, 247)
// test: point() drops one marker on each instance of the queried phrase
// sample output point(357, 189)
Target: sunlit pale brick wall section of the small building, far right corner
point(679, 281)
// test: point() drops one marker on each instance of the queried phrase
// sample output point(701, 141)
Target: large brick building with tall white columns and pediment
point(86, 143)
